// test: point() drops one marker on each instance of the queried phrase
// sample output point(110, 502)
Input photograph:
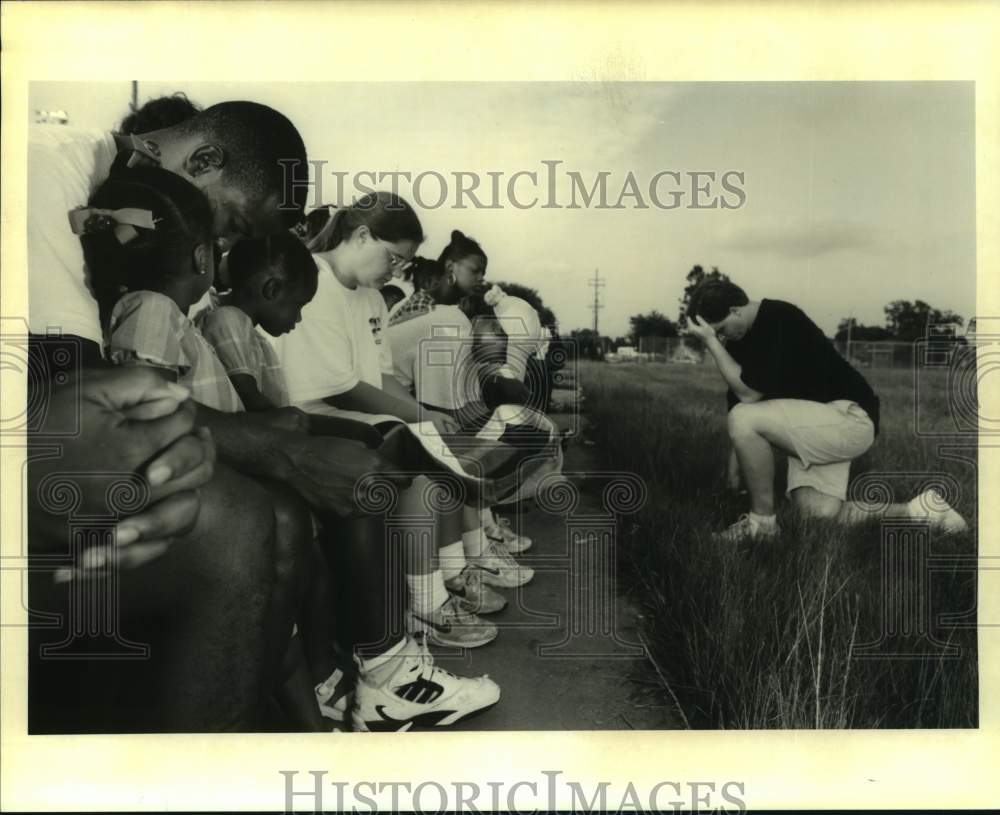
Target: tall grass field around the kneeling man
point(791, 633)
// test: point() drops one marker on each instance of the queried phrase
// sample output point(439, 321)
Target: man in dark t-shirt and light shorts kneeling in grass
point(790, 389)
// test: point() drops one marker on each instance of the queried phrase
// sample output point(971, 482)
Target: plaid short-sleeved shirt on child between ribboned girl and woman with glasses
point(241, 350)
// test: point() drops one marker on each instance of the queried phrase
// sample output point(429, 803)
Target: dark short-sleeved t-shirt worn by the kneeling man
point(785, 355)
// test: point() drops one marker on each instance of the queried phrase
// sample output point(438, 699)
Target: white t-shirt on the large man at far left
point(65, 166)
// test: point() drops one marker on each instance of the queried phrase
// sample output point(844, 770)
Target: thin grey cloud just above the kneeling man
point(801, 239)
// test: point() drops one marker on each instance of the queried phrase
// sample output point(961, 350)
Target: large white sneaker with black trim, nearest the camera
point(410, 690)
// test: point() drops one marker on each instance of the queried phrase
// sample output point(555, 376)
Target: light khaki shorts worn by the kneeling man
point(827, 438)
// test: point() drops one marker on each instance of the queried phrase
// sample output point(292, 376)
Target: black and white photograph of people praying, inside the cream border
point(616, 407)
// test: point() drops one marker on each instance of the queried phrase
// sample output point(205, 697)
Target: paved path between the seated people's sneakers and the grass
point(591, 682)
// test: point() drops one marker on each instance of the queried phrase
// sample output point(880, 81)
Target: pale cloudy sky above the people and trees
point(853, 194)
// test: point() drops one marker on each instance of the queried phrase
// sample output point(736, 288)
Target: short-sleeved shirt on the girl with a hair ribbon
point(147, 328)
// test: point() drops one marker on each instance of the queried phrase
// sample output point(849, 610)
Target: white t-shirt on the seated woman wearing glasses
point(339, 343)
